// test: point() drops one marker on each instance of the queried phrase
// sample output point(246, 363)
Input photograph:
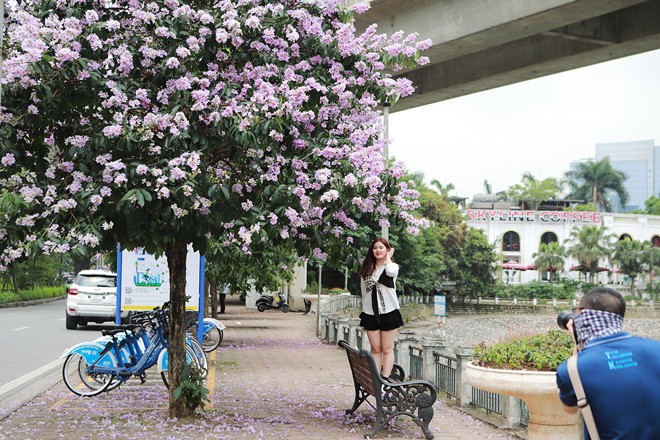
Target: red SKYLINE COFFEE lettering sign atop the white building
point(519, 216)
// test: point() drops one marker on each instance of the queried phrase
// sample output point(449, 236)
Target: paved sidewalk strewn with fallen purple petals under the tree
point(270, 378)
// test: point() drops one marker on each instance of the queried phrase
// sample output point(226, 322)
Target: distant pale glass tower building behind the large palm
point(640, 160)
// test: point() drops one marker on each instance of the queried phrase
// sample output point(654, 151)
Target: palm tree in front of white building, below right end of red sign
point(588, 245)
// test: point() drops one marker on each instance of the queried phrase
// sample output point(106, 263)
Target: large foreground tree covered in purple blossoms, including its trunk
point(162, 123)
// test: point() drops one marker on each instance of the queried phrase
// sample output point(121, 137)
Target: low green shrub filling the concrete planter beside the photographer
point(541, 352)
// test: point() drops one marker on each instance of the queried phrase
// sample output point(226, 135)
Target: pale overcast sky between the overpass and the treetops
point(540, 126)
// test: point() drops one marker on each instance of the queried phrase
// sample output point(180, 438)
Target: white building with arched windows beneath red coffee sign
point(517, 234)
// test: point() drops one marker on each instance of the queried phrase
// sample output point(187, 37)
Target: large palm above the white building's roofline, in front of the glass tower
point(592, 179)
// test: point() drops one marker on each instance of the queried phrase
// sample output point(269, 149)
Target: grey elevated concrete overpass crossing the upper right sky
point(483, 44)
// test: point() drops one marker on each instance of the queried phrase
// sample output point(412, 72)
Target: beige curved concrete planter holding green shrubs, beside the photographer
point(538, 389)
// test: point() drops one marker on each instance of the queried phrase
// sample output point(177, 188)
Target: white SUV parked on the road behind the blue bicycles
point(92, 298)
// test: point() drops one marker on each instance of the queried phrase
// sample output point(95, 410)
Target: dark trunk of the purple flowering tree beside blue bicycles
point(176, 262)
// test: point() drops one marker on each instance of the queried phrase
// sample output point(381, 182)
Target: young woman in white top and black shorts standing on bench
point(380, 315)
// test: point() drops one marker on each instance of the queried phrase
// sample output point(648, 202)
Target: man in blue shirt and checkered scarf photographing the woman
point(620, 373)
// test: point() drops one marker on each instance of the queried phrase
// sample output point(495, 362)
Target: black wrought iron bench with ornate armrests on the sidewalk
point(393, 396)
